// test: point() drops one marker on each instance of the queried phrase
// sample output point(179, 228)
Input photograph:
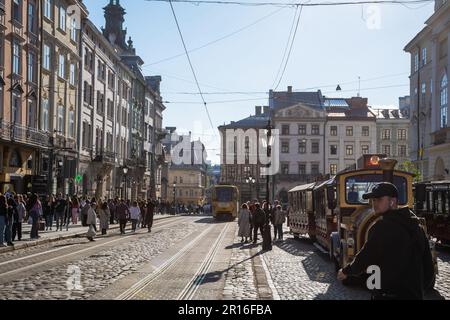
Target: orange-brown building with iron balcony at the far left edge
point(22, 144)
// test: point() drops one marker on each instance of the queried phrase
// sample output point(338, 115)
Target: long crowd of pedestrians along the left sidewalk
point(58, 212)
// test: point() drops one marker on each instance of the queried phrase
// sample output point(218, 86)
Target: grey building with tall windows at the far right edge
point(429, 132)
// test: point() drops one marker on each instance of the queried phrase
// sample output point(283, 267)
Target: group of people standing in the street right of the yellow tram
point(254, 217)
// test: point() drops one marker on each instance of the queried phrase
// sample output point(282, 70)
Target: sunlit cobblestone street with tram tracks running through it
point(183, 258)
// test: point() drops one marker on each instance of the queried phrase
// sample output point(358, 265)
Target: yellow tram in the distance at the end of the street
point(225, 202)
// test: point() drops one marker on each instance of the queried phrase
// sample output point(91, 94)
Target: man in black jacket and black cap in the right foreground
point(396, 244)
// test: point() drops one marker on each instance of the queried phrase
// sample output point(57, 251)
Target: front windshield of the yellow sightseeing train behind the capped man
point(356, 186)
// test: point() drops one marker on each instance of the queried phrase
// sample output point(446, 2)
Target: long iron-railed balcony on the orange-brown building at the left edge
point(22, 134)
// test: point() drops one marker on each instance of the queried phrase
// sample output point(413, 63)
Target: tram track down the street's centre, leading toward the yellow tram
point(189, 287)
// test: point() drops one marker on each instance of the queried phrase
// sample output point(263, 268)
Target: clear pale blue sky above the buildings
point(334, 45)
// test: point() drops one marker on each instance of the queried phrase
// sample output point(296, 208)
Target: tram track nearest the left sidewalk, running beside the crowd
point(29, 262)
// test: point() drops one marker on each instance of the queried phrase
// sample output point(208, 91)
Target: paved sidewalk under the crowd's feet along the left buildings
point(50, 236)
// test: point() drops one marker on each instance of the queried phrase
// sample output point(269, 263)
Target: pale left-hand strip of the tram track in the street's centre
point(140, 285)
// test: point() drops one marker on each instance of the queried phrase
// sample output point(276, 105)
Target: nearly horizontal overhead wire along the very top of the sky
point(281, 4)
